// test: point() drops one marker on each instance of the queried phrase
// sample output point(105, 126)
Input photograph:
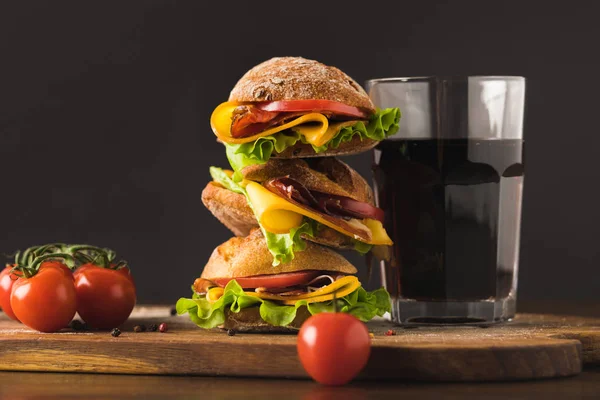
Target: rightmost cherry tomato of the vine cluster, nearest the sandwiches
point(105, 297)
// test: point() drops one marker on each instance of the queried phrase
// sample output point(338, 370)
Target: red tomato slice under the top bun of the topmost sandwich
point(313, 105)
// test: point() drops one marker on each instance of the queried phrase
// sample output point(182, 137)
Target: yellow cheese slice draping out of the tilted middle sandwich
point(267, 206)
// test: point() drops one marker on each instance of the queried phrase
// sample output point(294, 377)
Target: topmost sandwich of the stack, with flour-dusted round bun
point(291, 107)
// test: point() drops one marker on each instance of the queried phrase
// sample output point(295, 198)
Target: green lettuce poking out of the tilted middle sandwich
point(281, 245)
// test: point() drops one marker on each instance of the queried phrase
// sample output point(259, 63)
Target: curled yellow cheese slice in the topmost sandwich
point(220, 122)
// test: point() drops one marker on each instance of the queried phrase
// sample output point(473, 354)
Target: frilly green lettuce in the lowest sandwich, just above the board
point(360, 303)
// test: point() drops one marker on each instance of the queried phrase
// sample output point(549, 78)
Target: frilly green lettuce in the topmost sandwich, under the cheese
point(381, 125)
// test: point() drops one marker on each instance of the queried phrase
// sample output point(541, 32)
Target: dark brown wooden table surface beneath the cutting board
point(28, 385)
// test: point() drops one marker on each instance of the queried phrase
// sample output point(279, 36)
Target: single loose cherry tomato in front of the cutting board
point(333, 347)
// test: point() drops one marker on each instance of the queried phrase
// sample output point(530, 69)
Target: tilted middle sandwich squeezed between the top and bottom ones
point(322, 200)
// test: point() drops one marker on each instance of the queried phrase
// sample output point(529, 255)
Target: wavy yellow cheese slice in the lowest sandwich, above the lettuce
point(342, 287)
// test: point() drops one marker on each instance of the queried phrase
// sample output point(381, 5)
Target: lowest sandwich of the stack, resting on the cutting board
point(240, 289)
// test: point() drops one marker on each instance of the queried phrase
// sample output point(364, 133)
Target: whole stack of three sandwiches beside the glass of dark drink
point(288, 200)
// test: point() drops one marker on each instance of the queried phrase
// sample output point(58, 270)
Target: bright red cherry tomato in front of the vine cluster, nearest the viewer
point(46, 301)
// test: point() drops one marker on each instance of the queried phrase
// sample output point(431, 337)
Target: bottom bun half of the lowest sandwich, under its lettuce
point(249, 320)
